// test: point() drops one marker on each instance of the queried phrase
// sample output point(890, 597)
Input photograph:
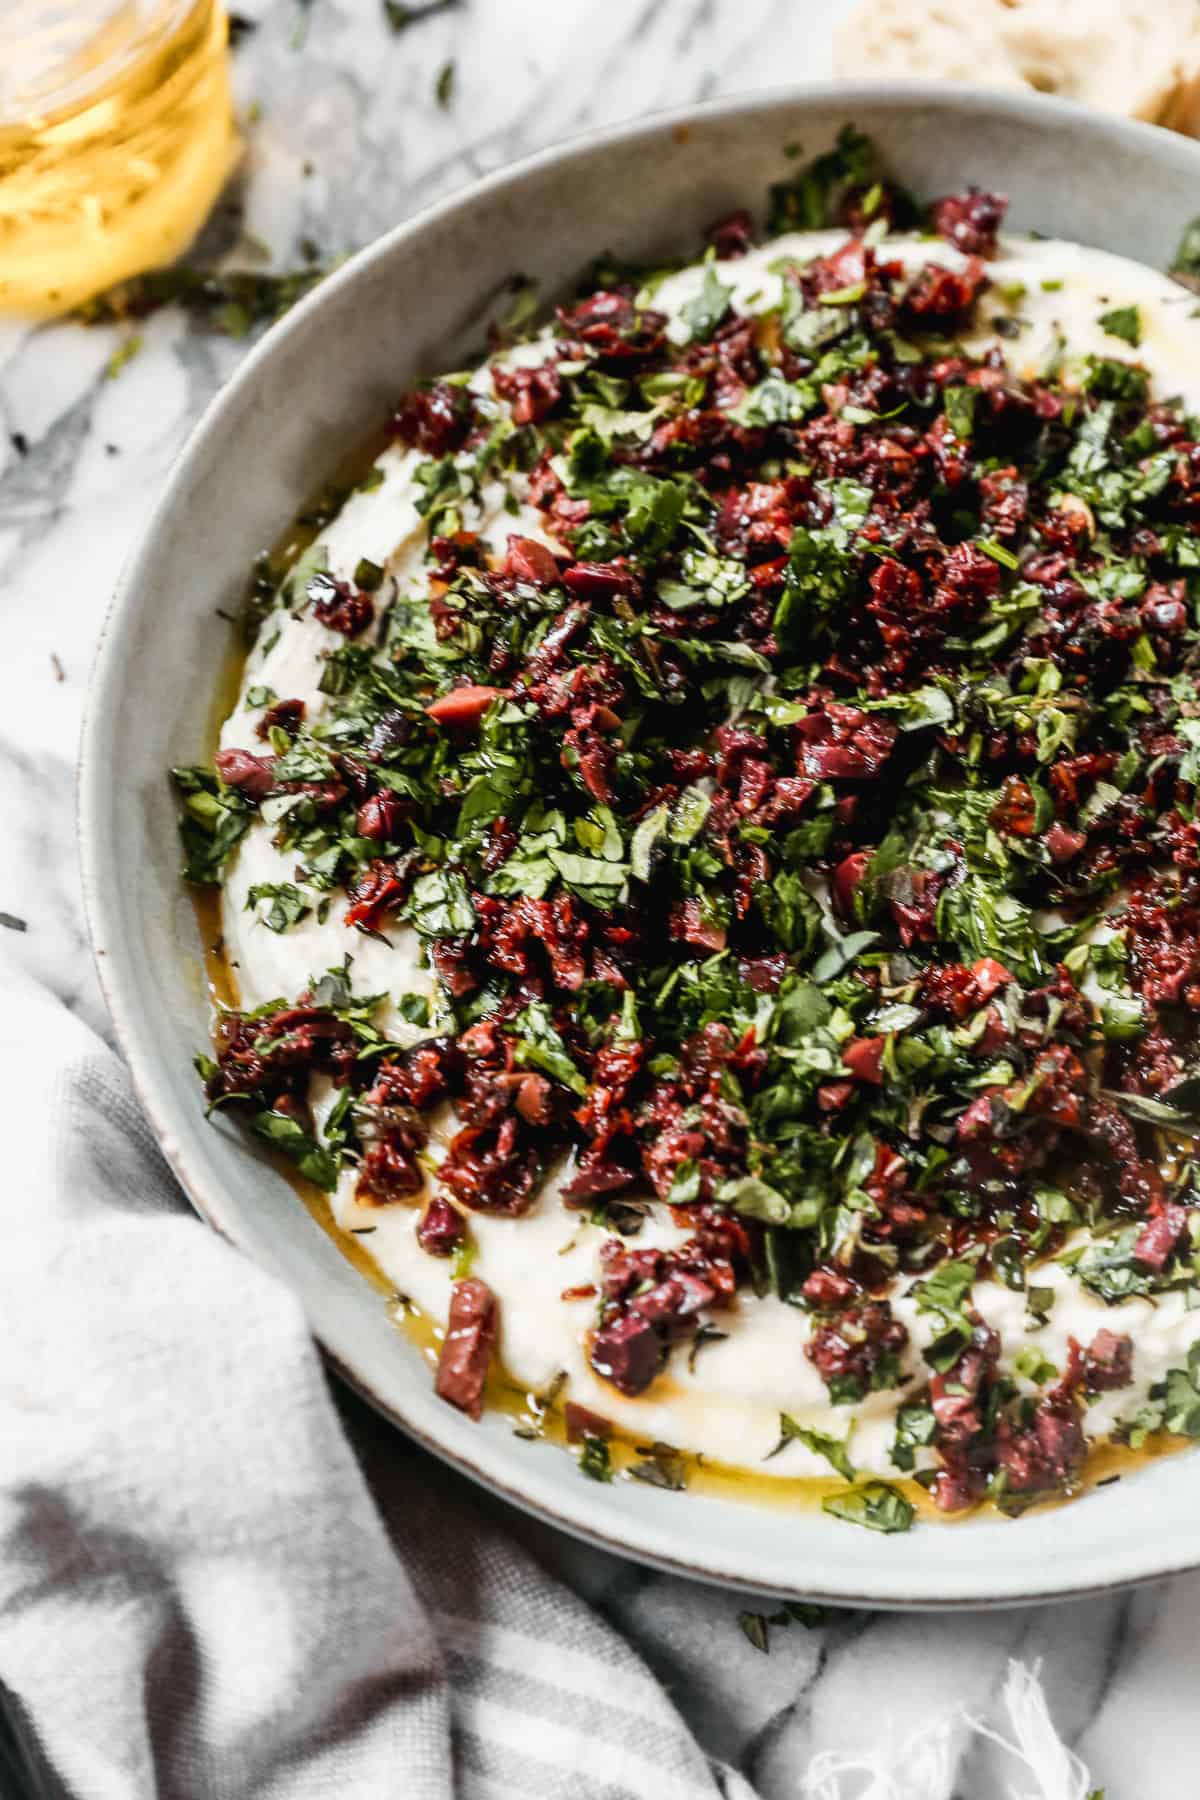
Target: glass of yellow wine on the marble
point(116, 139)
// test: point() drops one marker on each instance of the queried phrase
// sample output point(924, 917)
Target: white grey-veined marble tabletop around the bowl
point(348, 141)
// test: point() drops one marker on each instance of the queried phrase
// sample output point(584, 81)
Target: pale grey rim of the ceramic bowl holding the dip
point(568, 1509)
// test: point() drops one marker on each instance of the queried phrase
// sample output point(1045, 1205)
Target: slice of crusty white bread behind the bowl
point(1129, 57)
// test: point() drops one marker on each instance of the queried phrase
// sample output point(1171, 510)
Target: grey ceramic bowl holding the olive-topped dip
point(310, 391)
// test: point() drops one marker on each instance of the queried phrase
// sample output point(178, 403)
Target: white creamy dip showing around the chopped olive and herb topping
point(728, 1401)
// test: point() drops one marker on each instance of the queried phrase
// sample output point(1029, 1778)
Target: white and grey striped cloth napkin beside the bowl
point(199, 1594)
